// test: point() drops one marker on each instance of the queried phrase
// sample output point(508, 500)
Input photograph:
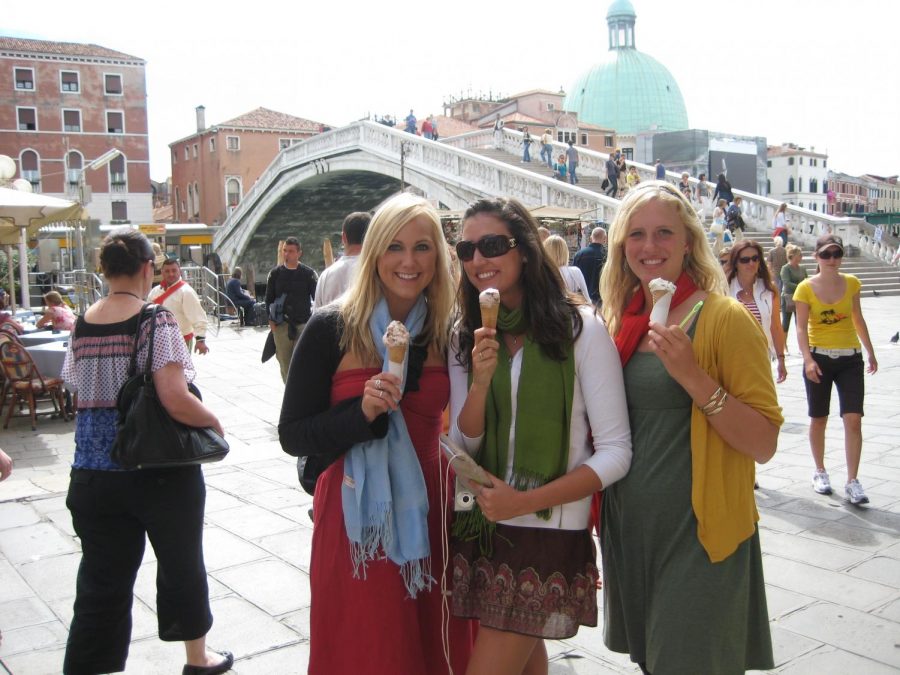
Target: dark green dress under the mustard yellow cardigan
point(665, 603)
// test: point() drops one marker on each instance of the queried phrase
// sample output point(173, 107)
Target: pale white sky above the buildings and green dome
point(818, 73)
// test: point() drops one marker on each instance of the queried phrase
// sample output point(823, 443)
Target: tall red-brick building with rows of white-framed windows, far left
point(62, 106)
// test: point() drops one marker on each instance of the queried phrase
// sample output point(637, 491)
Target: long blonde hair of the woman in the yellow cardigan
point(618, 283)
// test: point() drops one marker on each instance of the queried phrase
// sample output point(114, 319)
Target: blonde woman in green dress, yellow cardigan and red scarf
point(683, 576)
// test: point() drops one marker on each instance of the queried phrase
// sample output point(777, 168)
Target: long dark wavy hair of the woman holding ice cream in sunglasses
point(550, 311)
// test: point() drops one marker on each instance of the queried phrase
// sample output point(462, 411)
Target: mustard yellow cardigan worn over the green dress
point(731, 347)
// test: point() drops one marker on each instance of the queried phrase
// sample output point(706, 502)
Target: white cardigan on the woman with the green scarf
point(600, 435)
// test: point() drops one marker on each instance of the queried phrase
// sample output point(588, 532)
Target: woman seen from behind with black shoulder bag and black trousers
point(114, 510)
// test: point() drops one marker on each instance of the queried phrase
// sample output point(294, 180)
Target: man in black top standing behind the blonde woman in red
point(290, 290)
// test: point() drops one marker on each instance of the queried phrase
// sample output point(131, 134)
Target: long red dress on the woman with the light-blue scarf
point(371, 625)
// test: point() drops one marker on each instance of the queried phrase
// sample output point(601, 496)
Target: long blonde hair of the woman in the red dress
point(365, 291)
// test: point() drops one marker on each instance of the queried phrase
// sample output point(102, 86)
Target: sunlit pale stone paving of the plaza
point(832, 570)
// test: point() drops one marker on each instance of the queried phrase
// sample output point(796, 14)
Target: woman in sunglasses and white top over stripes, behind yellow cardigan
point(750, 282)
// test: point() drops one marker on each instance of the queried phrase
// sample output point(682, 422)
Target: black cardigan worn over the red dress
point(309, 425)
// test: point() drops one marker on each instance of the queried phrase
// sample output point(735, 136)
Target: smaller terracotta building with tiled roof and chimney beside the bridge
point(213, 168)
